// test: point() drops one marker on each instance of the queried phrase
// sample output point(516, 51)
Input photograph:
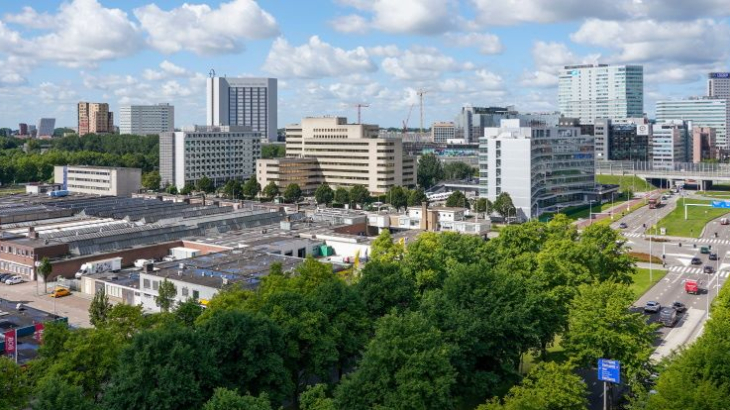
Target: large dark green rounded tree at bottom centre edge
point(405, 366)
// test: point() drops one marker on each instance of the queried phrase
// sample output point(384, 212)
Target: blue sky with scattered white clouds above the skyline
point(332, 54)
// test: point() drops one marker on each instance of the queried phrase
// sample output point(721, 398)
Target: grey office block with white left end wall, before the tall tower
point(217, 152)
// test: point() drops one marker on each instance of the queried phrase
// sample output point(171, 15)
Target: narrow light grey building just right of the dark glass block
point(669, 144)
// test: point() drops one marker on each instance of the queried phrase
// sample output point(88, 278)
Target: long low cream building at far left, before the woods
point(113, 181)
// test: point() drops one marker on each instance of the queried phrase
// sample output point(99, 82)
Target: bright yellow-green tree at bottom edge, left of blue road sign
point(549, 386)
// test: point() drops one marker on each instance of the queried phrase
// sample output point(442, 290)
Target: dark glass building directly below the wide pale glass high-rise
point(622, 139)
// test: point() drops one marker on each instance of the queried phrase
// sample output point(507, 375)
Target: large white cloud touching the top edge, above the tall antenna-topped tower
point(206, 31)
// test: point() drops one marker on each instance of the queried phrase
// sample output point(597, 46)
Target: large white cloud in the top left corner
point(90, 33)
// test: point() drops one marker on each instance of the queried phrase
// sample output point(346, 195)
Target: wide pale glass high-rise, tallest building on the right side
point(591, 91)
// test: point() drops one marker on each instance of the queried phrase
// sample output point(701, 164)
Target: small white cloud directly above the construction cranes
point(422, 63)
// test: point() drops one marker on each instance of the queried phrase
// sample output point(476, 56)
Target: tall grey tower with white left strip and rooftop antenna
point(248, 102)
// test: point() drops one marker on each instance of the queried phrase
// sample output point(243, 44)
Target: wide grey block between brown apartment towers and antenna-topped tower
point(146, 119)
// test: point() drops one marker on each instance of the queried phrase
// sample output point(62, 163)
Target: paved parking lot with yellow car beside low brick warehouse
point(75, 307)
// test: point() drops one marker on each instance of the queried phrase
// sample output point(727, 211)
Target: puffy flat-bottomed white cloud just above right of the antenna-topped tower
point(316, 59)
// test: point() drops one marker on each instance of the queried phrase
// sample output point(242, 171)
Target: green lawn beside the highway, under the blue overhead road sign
point(697, 218)
